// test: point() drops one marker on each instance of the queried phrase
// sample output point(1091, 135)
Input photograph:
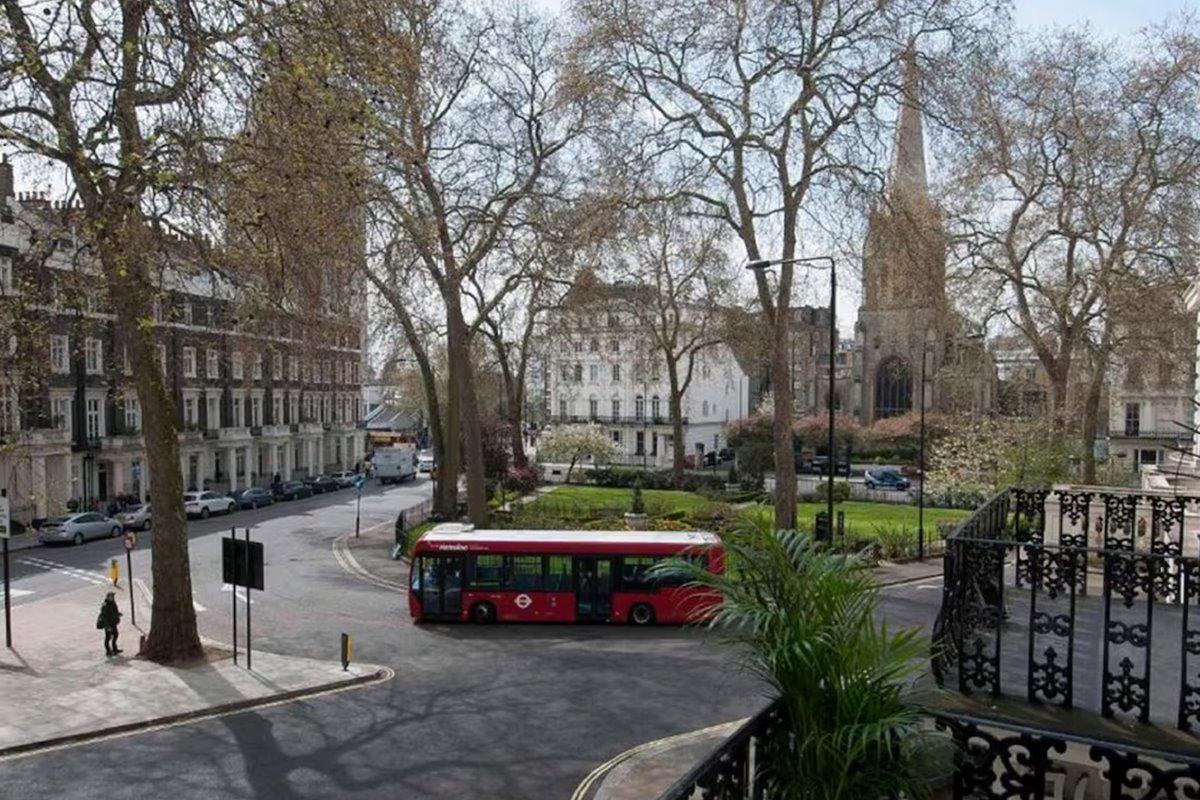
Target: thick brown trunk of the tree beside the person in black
point(173, 636)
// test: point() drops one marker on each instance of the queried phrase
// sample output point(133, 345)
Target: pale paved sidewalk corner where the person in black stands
point(57, 687)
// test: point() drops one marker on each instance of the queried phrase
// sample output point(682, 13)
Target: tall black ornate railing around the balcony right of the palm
point(1021, 607)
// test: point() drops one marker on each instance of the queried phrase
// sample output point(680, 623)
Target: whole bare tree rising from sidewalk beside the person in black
point(118, 94)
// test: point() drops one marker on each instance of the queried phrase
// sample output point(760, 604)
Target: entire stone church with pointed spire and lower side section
point(905, 316)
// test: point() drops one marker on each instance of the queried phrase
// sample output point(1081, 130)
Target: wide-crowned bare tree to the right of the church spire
point(1070, 161)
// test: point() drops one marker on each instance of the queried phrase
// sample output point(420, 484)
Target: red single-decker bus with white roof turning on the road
point(556, 576)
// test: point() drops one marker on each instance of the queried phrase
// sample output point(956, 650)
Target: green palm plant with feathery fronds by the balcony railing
point(805, 618)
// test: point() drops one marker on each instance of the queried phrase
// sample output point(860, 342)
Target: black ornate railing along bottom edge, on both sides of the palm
point(993, 760)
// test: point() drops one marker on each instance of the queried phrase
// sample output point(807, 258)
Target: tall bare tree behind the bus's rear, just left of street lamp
point(754, 109)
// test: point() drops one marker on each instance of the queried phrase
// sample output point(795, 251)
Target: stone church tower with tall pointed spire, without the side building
point(905, 315)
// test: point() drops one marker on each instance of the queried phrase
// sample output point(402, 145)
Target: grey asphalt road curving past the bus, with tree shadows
point(490, 713)
